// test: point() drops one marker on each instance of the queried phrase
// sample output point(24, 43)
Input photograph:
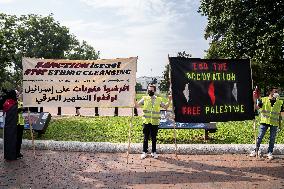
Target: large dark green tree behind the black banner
point(248, 29)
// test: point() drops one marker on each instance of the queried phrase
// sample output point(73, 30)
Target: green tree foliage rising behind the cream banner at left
point(37, 37)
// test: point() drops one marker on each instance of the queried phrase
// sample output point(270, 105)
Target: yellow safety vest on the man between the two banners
point(151, 111)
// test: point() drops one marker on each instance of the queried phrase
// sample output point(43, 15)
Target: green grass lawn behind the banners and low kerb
point(115, 129)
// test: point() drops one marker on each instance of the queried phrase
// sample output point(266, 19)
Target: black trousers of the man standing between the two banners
point(150, 130)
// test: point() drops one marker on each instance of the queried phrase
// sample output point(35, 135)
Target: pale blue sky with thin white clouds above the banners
point(149, 29)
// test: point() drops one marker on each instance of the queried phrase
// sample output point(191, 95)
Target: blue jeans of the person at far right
point(262, 130)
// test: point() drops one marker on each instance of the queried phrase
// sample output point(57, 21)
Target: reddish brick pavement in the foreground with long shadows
point(63, 169)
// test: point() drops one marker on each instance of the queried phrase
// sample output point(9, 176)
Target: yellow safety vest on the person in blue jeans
point(270, 115)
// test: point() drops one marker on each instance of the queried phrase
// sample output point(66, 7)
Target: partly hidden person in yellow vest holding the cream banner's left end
point(20, 126)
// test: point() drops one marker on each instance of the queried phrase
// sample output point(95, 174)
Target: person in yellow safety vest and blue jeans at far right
point(271, 112)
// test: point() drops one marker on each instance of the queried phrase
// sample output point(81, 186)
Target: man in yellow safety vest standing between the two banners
point(151, 106)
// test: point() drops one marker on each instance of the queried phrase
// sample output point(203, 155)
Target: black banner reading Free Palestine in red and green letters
point(211, 90)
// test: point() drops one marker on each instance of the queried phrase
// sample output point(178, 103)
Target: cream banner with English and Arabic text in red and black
point(79, 83)
